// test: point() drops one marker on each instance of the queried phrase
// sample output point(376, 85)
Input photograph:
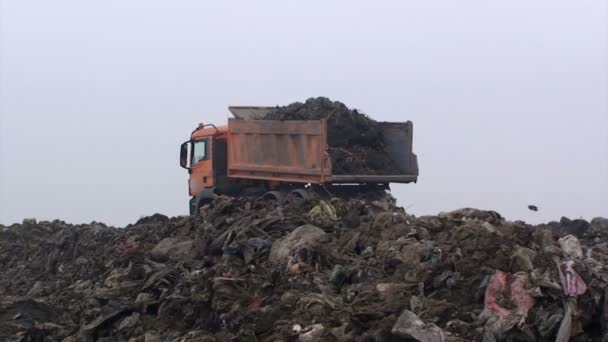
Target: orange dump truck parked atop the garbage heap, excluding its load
point(280, 157)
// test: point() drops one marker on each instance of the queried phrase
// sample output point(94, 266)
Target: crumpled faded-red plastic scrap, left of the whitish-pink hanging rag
point(520, 296)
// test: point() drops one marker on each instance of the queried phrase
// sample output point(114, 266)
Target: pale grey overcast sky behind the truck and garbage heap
point(509, 99)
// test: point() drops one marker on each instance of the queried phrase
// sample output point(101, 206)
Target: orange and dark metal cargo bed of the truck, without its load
point(297, 151)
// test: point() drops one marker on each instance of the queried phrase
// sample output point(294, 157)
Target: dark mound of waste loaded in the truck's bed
point(356, 142)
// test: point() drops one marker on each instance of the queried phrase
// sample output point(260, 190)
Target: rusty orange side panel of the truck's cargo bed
point(292, 151)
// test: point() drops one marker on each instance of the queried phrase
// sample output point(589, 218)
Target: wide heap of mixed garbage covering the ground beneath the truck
point(360, 269)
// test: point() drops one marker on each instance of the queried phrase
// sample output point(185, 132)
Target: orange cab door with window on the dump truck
point(202, 165)
